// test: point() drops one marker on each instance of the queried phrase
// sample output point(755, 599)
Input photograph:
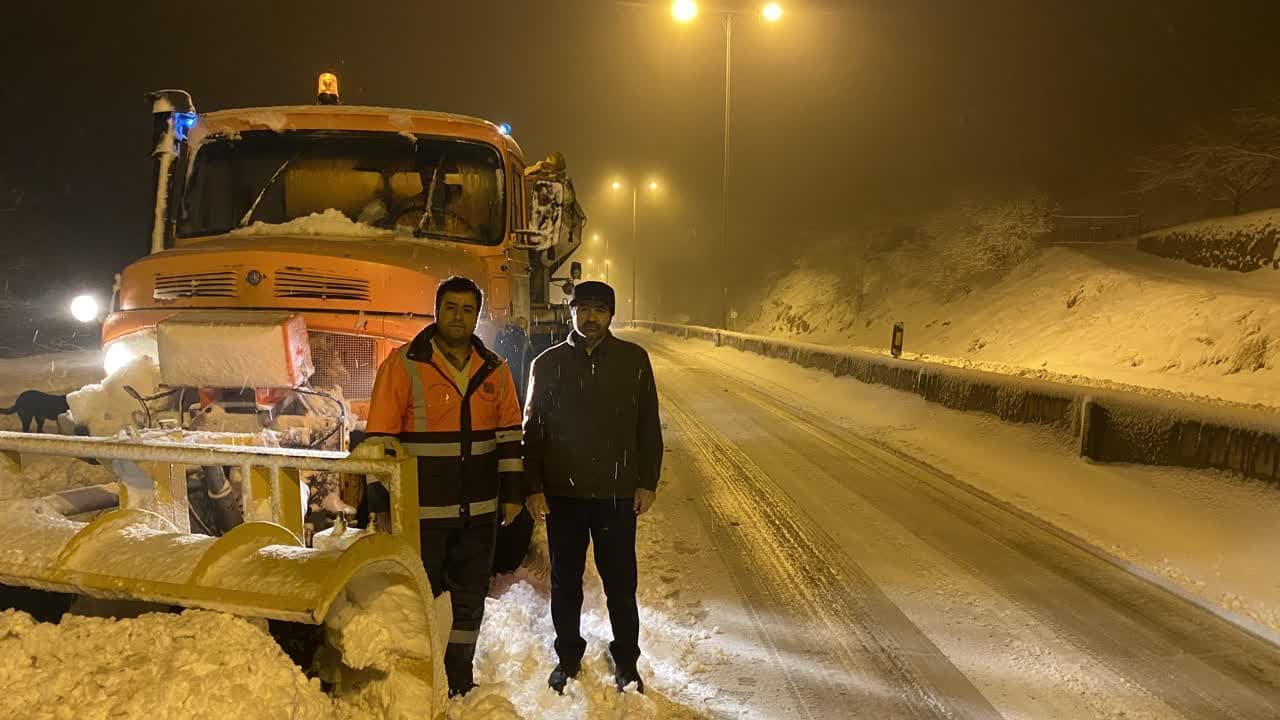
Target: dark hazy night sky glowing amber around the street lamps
point(845, 113)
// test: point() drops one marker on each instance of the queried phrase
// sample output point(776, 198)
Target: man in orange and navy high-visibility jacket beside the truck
point(454, 404)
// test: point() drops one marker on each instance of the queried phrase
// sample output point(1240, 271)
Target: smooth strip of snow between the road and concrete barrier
point(1209, 534)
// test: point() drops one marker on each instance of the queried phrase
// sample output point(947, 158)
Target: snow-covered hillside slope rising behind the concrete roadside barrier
point(1082, 315)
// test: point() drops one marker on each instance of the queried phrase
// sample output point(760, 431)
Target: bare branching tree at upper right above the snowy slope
point(1227, 163)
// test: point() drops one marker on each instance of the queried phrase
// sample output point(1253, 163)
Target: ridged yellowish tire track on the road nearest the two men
point(797, 571)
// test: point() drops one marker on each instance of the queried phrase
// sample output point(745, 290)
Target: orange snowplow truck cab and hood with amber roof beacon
point(348, 217)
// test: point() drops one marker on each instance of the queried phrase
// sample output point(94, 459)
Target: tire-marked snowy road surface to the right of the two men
point(863, 582)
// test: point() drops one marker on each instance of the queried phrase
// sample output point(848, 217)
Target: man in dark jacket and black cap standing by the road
point(593, 454)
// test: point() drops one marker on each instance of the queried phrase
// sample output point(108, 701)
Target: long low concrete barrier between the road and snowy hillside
point(1110, 426)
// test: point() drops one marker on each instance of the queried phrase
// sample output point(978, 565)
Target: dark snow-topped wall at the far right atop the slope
point(1245, 243)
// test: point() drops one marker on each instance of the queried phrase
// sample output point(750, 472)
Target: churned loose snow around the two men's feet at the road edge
point(516, 655)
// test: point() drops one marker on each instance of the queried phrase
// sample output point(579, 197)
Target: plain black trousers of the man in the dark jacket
point(611, 527)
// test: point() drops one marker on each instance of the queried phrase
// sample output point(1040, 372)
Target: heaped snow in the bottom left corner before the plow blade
point(196, 666)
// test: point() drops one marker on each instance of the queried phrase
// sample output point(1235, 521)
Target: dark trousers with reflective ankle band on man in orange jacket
point(459, 560)
